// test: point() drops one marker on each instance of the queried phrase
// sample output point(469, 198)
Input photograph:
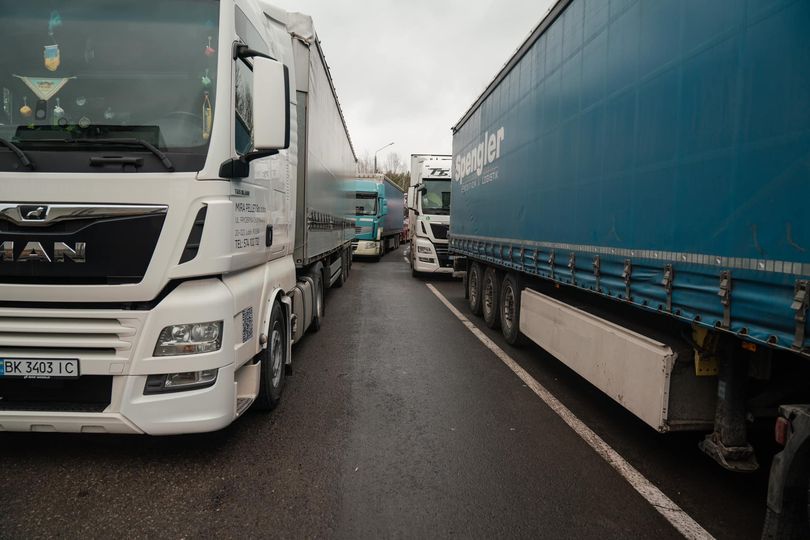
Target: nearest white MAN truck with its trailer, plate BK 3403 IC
point(171, 211)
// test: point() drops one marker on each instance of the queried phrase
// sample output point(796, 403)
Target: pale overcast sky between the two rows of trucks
point(406, 70)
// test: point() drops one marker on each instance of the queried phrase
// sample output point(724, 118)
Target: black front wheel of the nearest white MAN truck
point(273, 360)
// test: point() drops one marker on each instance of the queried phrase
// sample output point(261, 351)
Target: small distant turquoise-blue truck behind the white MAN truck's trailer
point(379, 215)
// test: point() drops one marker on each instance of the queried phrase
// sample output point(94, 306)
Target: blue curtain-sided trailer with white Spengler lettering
point(630, 193)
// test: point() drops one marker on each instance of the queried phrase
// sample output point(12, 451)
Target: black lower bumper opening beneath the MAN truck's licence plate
point(89, 393)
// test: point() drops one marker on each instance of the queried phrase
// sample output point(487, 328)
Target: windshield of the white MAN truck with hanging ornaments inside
point(99, 69)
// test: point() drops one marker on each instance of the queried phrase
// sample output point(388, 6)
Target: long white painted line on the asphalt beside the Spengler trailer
point(673, 513)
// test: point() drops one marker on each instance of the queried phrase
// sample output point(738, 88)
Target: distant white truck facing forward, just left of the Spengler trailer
point(429, 214)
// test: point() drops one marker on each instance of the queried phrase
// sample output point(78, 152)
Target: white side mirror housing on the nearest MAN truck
point(271, 105)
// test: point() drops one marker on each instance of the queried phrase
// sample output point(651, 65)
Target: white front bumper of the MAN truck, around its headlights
point(117, 346)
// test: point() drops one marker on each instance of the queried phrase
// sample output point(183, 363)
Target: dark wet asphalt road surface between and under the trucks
point(397, 422)
